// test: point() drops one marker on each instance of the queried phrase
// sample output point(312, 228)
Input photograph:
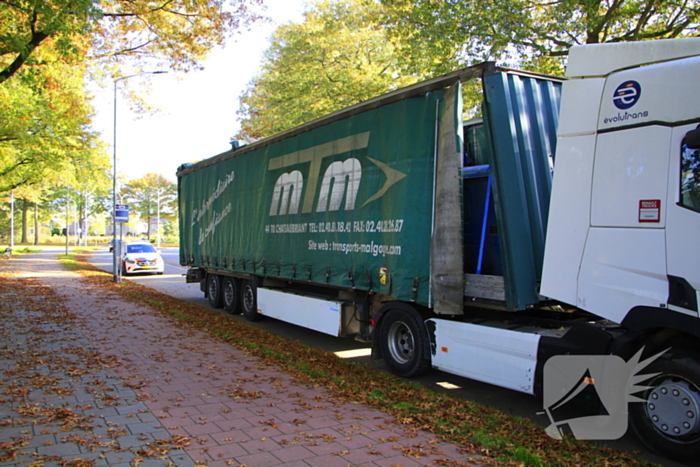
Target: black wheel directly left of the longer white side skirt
point(403, 340)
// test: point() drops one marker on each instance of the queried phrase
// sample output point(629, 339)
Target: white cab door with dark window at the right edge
point(683, 220)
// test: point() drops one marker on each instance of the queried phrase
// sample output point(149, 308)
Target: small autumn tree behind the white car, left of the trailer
point(150, 195)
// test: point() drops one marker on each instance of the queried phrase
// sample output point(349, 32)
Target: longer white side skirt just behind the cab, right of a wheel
point(497, 356)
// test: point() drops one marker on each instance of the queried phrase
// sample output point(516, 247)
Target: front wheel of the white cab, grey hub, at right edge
point(669, 421)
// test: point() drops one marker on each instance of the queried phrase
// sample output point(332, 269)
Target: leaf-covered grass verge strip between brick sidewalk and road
point(497, 437)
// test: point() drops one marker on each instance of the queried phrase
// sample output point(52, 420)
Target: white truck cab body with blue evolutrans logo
point(624, 220)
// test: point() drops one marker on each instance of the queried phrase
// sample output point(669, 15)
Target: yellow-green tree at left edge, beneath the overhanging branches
point(44, 126)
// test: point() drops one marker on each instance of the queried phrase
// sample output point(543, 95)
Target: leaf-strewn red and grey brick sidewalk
point(142, 385)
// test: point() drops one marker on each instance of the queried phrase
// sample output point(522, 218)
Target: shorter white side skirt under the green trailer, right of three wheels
point(313, 313)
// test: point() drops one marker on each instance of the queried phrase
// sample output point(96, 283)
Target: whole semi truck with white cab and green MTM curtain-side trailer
point(562, 223)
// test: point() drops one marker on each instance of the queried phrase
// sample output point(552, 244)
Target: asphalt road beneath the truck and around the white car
point(172, 282)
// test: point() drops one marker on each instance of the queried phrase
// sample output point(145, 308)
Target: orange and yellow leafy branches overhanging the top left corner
point(175, 32)
